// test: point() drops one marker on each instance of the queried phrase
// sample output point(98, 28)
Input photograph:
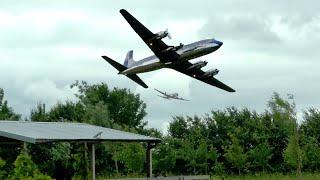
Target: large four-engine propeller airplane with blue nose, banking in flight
point(174, 57)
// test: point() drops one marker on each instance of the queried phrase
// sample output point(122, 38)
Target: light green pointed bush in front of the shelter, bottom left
point(26, 169)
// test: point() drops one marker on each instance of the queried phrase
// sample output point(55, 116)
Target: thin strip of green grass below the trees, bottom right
point(305, 176)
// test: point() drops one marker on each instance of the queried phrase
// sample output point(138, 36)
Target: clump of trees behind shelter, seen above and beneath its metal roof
point(117, 108)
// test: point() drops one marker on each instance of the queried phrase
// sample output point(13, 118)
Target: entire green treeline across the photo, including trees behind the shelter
point(230, 141)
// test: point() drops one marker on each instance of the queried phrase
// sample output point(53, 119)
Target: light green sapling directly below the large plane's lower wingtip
point(235, 154)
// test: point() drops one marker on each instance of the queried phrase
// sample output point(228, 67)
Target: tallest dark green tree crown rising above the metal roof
point(125, 108)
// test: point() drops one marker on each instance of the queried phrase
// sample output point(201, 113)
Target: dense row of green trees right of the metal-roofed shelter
point(235, 141)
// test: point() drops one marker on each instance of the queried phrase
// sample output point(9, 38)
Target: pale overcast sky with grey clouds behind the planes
point(269, 46)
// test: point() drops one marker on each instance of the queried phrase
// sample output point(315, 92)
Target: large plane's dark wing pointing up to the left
point(159, 48)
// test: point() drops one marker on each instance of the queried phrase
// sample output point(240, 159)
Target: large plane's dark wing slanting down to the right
point(198, 73)
